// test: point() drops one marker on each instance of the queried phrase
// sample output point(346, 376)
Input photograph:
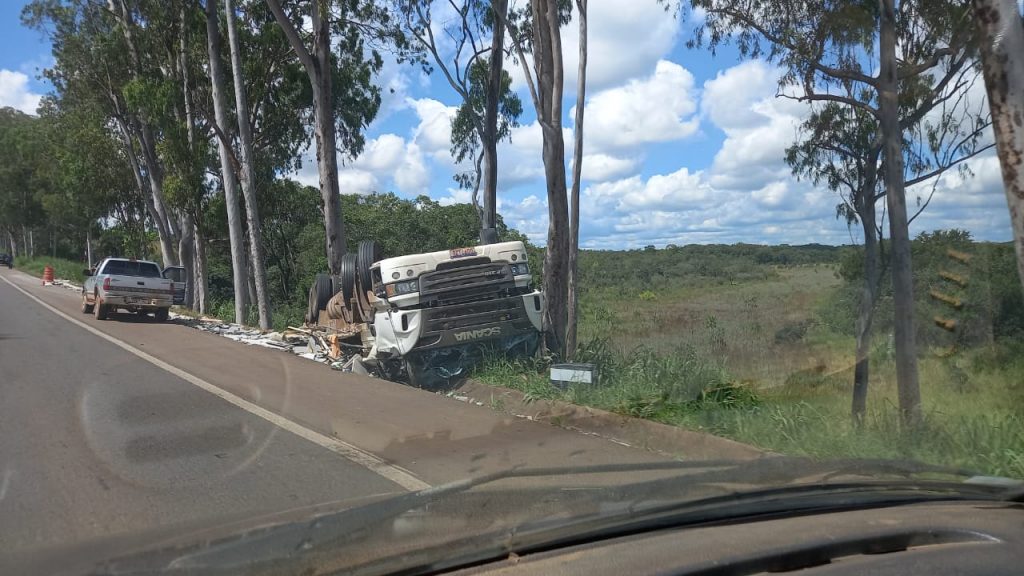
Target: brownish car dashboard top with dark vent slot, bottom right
point(934, 539)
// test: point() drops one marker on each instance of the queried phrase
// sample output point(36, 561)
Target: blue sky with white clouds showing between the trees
point(680, 147)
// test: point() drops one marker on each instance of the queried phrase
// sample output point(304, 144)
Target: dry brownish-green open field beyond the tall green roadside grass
point(757, 328)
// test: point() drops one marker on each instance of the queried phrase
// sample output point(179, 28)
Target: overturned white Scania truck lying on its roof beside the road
point(428, 318)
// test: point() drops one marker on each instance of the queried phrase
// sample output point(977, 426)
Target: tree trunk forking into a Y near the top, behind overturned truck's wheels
point(318, 67)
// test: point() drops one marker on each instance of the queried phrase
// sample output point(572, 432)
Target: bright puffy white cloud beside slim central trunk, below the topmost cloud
point(657, 109)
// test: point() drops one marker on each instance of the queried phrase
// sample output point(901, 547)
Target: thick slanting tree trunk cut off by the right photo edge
point(1002, 40)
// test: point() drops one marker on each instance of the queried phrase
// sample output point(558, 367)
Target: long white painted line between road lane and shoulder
point(354, 454)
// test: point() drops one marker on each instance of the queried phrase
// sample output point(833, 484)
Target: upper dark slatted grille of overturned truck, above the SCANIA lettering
point(465, 284)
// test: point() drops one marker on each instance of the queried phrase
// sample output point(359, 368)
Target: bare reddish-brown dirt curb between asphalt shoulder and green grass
point(665, 439)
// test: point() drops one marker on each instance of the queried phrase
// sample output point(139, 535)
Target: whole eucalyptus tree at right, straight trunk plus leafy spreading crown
point(846, 54)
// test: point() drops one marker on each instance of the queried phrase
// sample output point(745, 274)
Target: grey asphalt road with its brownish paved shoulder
point(99, 441)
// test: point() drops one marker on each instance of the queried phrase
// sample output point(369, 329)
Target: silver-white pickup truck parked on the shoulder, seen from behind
point(137, 286)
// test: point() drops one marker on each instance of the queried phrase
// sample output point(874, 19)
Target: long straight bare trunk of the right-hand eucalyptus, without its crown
point(907, 350)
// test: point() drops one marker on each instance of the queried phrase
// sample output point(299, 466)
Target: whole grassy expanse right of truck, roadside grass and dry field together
point(752, 361)
